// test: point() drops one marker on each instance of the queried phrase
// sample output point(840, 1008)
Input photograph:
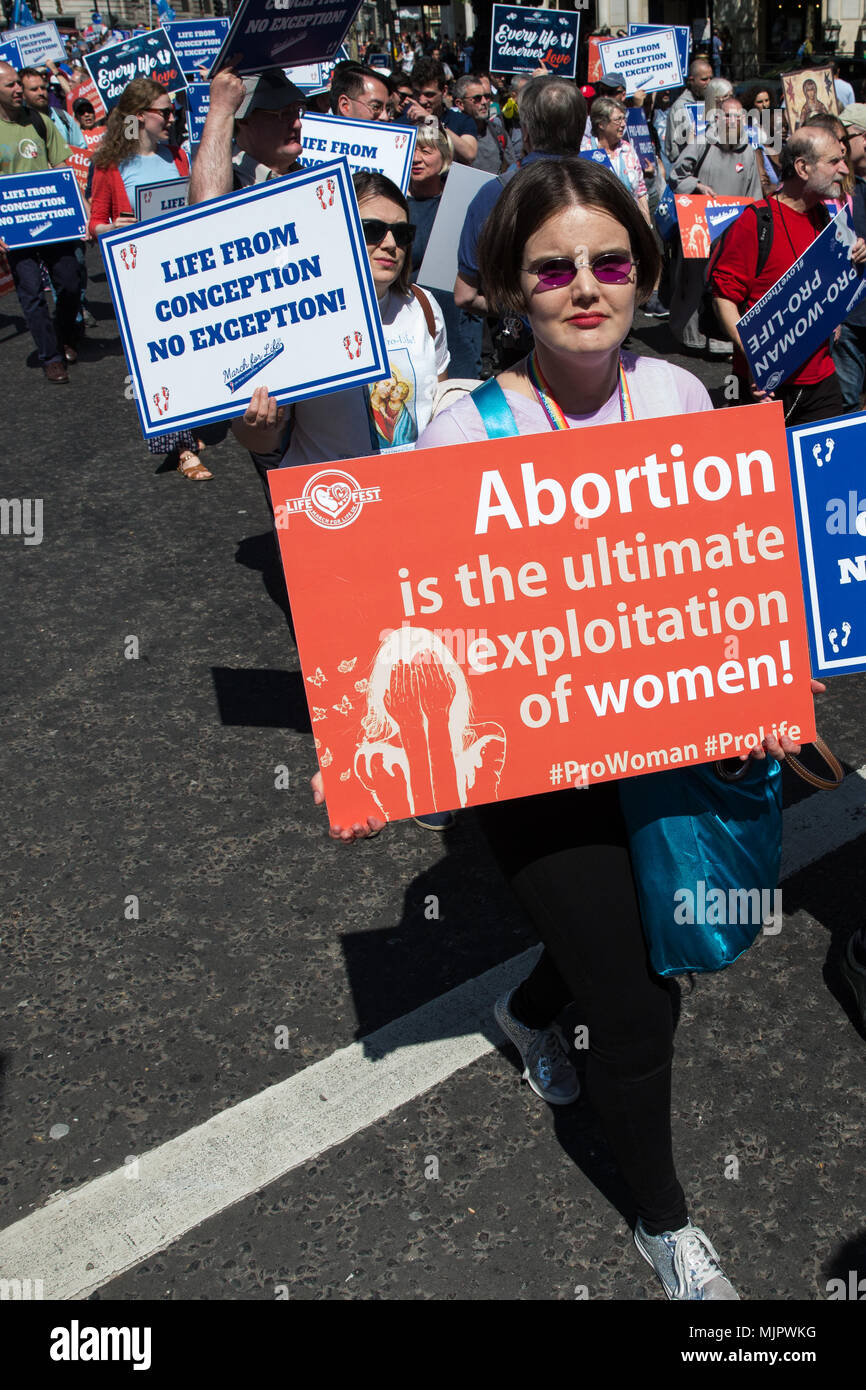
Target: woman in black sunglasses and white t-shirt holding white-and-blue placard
point(384, 418)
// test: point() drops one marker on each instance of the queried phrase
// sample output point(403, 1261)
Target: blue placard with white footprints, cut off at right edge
point(831, 504)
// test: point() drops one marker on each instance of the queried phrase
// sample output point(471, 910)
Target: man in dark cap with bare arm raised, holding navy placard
point(252, 133)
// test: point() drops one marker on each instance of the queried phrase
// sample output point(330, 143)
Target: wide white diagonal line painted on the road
point(84, 1239)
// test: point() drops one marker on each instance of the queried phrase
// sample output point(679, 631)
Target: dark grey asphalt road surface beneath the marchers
point(181, 935)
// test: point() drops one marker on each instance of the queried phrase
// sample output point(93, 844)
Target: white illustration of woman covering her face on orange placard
point(420, 750)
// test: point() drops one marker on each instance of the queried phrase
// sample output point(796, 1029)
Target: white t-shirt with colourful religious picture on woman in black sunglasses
point(340, 426)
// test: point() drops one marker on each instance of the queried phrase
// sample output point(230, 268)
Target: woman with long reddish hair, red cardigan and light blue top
point(134, 152)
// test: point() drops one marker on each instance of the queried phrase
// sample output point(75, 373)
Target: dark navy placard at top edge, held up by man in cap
point(283, 34)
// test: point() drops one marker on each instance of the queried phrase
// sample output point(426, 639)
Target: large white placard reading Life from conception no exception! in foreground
point(270, 287)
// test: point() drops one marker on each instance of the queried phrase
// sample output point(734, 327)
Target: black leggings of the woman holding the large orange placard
point(566, 858)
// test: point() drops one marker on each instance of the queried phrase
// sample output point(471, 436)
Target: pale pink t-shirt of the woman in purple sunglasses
point(657, 389)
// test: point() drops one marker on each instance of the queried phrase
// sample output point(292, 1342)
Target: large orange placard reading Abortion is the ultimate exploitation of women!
point(498, 619)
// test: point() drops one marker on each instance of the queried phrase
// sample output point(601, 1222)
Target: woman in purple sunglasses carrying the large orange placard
point(569, 250)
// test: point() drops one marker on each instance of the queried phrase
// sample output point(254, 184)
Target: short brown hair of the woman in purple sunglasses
point(540, 193)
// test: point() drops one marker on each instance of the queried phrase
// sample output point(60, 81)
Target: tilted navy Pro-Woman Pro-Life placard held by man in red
point(800, 312)
